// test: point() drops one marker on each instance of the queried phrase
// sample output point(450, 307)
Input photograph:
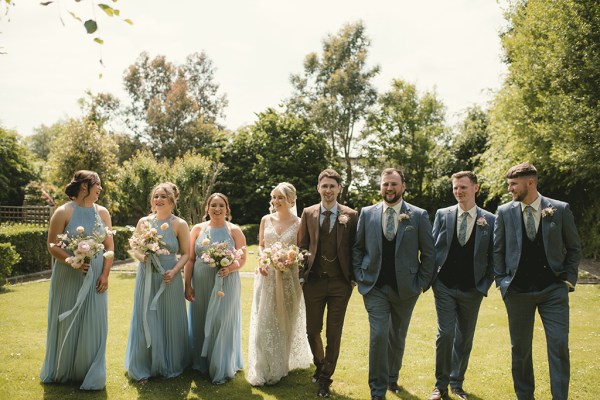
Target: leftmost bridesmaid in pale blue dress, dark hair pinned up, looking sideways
point(78, 307)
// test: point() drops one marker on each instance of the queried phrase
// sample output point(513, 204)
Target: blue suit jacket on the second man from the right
point(444, 228)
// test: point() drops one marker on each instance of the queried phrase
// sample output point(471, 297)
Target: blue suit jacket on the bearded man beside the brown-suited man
point(413, 237)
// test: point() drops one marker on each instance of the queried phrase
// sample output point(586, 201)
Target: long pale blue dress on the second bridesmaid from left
point(158, 342)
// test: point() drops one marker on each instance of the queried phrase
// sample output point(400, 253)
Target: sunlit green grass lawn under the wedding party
point(23, 334)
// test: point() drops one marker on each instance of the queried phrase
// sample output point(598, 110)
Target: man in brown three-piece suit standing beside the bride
point(327, 231)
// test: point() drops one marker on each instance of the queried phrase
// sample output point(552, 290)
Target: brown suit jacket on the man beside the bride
point(308, 238)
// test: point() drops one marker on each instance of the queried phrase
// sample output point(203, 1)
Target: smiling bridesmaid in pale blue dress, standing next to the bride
point(215, 313)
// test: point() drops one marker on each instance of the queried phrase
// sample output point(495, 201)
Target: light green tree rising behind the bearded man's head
point(404, 131)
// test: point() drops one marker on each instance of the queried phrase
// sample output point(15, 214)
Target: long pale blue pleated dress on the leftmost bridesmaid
point(77, 316)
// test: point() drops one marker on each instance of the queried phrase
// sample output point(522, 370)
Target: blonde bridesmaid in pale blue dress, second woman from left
point(158, 342)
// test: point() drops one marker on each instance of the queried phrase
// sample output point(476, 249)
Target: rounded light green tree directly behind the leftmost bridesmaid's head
point(81, 145)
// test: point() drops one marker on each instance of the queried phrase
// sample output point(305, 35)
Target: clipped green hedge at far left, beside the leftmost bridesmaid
point(30, 243)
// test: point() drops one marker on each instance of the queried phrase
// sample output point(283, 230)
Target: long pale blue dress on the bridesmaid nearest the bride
point(215, 322)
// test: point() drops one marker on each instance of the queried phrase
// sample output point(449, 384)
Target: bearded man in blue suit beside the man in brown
point(393, 258)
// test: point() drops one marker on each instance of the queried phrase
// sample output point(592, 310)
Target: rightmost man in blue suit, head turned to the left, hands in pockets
point(536, 258)
